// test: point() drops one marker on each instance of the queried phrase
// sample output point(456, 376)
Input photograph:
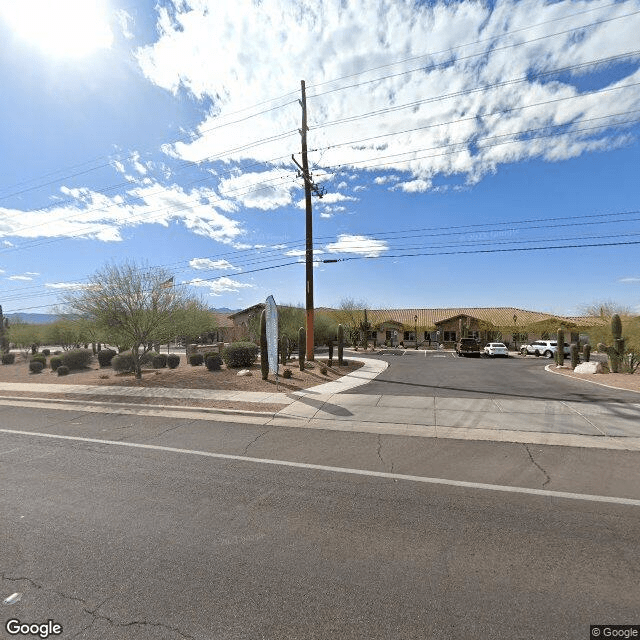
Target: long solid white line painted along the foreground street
point(343, 470)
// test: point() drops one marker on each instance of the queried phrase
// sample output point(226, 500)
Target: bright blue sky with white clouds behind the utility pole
point(475, 135)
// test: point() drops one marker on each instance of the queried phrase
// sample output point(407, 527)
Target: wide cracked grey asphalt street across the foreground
point(119, 542)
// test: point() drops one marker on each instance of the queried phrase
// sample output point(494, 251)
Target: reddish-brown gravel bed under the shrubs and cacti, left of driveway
point(184, 376)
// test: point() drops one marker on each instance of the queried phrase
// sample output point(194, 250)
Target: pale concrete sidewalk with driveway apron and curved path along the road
point(601, 425)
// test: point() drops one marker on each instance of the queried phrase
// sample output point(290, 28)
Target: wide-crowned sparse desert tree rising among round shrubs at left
point(137, 306)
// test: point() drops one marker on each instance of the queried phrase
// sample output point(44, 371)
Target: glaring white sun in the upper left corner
point(64, 28)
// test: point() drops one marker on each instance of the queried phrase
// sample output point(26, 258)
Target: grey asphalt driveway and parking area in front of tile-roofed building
point(447, 375)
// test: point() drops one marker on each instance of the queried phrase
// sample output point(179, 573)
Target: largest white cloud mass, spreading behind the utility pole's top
point(217, 50)
